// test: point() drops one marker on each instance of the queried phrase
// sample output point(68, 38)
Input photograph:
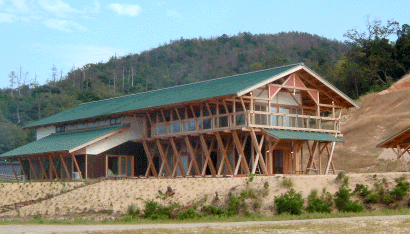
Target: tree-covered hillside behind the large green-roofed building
point(190, 60)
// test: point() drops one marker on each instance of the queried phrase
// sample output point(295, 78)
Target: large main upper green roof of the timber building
point(195, 91)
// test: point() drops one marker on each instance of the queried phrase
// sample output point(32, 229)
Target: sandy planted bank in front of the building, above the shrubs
point(117, 195)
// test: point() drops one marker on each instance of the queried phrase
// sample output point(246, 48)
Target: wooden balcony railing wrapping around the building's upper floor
point(258, 119)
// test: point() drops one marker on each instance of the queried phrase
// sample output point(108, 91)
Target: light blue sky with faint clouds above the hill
point(37, 34)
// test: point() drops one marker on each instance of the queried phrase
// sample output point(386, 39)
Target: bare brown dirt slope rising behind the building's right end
point(381, 115)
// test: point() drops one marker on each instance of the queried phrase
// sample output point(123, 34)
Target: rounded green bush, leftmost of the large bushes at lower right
point(290, 202)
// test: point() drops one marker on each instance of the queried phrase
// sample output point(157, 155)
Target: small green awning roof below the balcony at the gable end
point(299, 135)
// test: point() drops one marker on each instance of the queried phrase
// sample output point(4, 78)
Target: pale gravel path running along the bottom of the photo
point(12, 229)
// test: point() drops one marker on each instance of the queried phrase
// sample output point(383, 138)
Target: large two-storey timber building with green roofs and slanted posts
point(277, 121)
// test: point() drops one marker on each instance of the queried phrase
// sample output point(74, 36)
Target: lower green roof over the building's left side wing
point(61, 142)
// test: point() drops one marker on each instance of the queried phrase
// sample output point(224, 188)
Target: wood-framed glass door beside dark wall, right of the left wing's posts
point(118, 165)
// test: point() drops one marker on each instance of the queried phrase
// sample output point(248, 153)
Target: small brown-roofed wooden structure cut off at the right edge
point(400, 144)
